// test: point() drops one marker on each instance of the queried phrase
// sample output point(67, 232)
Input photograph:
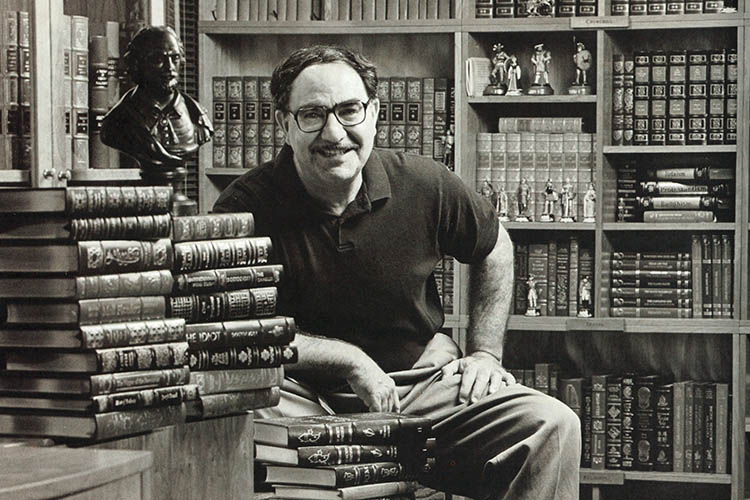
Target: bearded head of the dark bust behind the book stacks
point(160, 65)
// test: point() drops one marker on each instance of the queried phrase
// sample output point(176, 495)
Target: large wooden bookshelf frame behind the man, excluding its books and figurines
point(231, 47)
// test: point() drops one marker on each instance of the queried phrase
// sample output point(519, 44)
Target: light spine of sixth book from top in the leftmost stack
point(127, 333)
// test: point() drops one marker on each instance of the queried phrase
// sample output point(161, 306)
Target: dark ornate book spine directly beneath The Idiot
point(241, 357)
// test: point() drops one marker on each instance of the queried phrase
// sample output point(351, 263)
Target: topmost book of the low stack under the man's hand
point(352, 428)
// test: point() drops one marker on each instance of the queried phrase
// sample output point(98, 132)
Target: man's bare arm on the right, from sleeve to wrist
point(491, 288)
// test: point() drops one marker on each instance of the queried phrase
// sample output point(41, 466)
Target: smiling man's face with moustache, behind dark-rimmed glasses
point(336, 154)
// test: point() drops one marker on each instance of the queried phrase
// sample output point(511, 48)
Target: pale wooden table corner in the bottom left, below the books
point(37, 473)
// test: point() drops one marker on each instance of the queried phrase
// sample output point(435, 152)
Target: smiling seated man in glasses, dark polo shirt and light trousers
point(359, 232)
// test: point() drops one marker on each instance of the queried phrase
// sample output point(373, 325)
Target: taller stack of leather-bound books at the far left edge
point(89, 352)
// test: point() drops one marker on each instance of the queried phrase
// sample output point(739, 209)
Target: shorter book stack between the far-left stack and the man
point(225, 289)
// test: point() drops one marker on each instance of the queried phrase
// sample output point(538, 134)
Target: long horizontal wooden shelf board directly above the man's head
point(328, 27)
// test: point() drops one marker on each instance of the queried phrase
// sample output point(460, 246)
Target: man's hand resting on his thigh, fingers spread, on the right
point(481, 374)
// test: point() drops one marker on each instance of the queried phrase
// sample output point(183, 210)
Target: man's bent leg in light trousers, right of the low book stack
point(516, 444)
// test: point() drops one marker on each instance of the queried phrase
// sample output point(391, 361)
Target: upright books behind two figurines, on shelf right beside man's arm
point(563, 276)
